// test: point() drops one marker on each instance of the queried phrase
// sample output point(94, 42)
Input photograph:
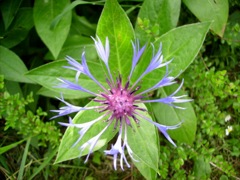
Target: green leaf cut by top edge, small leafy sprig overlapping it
point(161, 15)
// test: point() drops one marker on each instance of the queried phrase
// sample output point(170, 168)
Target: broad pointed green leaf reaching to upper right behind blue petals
point(181, 44)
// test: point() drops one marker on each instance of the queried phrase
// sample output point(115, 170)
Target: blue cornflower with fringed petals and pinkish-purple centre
point(119, 102)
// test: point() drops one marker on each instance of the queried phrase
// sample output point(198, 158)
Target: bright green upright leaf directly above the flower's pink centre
point(115, 25)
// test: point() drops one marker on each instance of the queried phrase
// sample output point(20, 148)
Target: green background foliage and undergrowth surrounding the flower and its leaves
point(29, 140)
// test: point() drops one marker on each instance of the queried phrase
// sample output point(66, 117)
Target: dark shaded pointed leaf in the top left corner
point(9, 10)
